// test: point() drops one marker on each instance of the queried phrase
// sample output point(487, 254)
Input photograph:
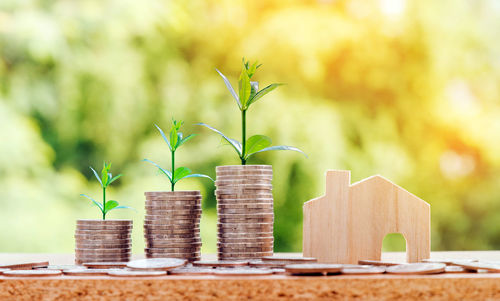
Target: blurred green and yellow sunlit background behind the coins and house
point(403, 88)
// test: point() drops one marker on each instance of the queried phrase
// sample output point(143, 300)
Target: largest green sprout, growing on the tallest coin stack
point(247, 95)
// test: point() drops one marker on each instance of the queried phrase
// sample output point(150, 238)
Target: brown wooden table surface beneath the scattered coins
point(471, 286)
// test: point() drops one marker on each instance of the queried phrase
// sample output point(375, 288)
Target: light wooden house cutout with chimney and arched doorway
point(349, 222)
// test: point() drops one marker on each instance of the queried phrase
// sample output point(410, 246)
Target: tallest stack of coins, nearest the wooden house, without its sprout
point(244, 211)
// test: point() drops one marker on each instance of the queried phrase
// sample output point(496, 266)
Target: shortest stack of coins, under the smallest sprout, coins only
point(103, 240)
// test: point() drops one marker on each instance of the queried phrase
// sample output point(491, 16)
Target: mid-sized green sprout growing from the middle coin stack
point(176, 140)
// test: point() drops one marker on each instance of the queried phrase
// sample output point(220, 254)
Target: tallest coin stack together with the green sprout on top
point(245, 211)
